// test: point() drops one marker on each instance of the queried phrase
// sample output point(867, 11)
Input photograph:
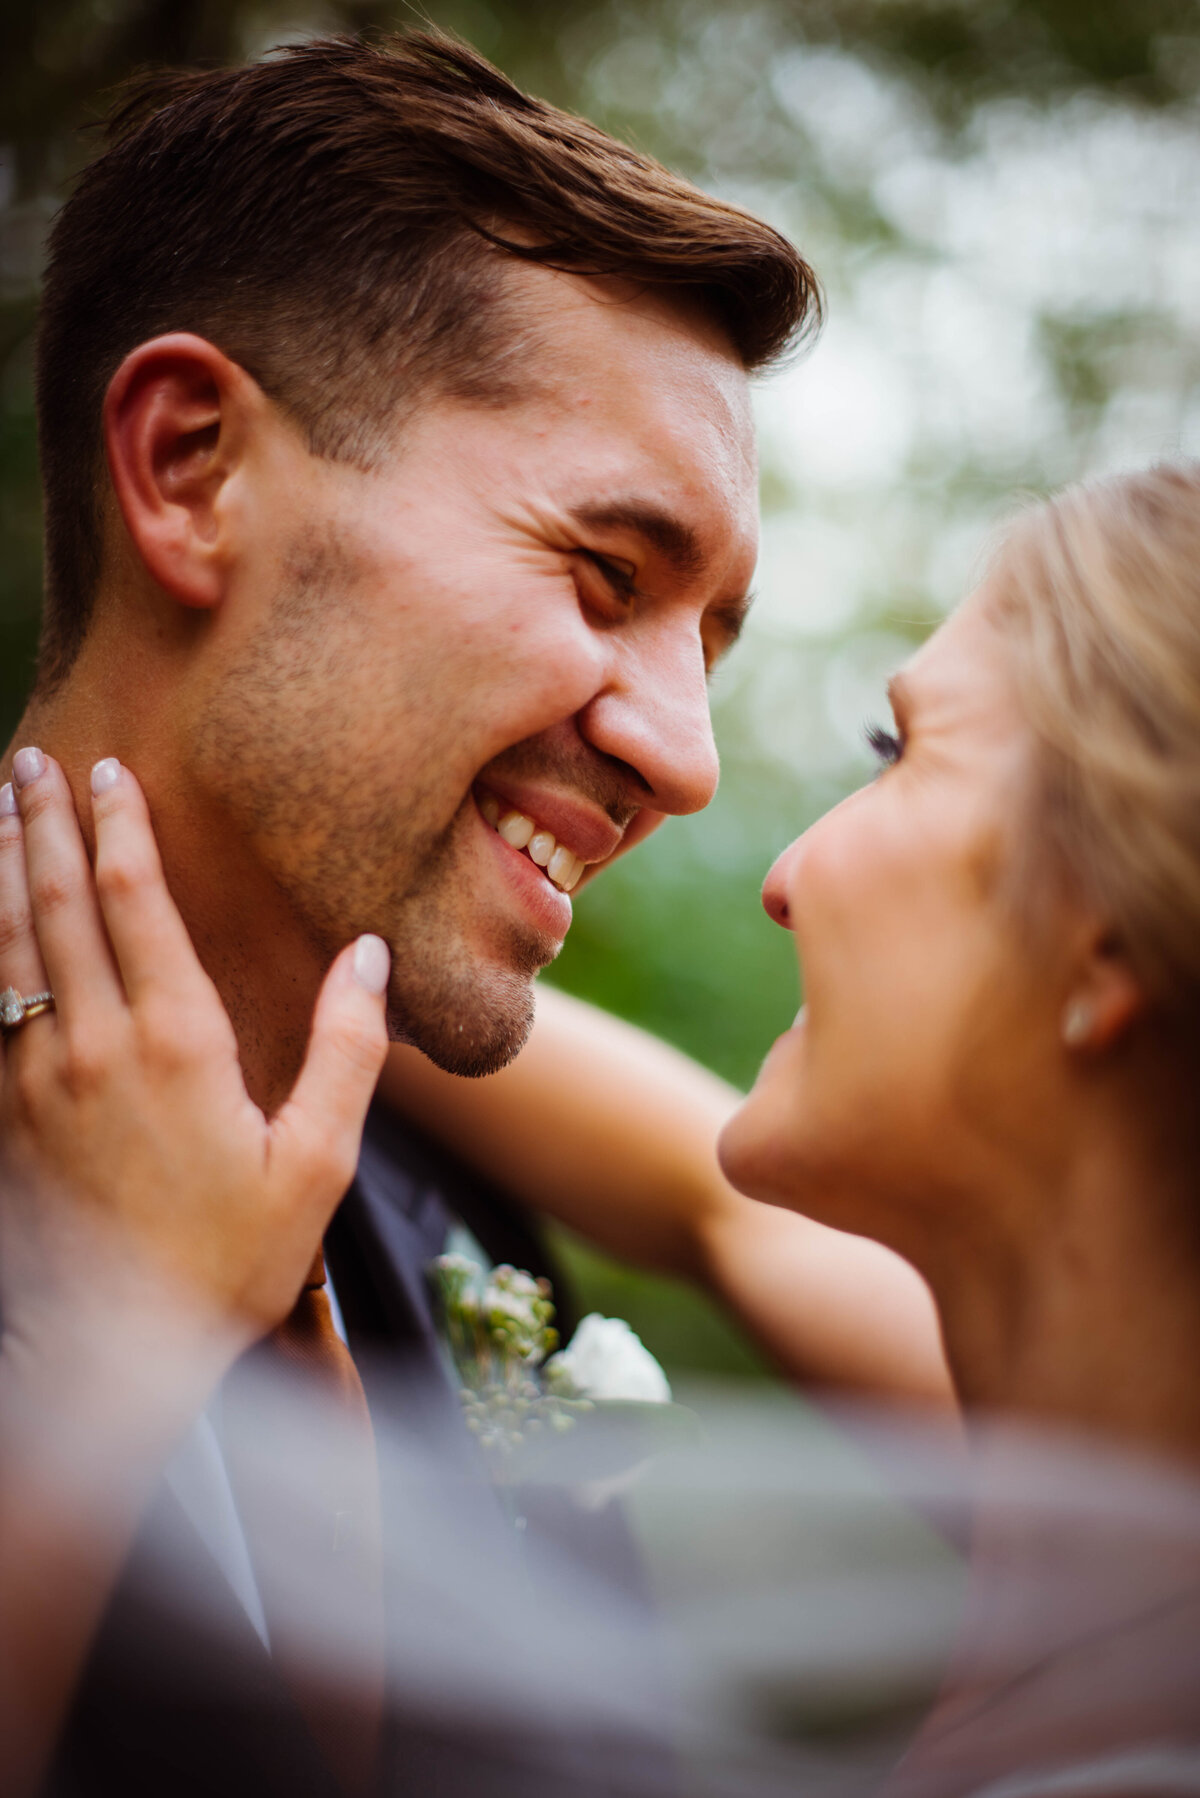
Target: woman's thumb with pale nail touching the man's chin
point(319, 1130)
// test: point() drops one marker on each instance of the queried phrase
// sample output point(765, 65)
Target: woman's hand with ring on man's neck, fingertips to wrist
point(143, 1168)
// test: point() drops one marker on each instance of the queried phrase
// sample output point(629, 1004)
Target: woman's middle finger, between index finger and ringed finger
point(66, 911)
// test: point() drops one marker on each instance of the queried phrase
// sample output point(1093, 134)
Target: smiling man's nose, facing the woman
point(654, 717)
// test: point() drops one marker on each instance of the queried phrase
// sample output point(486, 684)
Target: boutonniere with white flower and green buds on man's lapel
point(523, 1394)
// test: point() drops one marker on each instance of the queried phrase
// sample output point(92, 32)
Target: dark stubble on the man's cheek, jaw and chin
point(354, 841)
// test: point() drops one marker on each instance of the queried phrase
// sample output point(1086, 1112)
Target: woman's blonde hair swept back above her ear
point(1100, 594)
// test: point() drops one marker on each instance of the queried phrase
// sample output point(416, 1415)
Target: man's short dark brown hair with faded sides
point(334, 218)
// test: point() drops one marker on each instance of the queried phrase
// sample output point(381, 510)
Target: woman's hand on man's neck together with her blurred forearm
point(152, 1220)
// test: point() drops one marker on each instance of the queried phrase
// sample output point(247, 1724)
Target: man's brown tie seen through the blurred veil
point(330, 1533)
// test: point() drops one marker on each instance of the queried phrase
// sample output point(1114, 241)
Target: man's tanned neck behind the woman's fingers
point(244, 930)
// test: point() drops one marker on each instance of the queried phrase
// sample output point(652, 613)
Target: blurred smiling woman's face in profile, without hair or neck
point(927, 1049)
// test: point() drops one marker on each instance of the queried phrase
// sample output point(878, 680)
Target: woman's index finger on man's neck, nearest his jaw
point(145, 927)
